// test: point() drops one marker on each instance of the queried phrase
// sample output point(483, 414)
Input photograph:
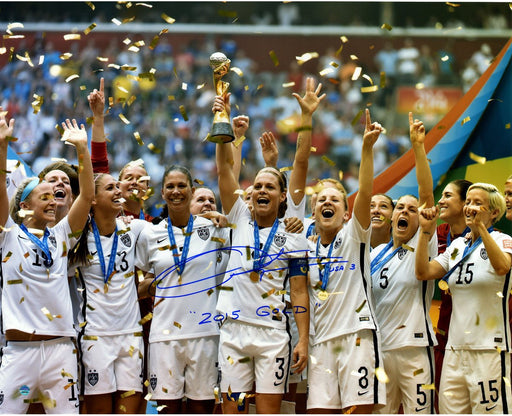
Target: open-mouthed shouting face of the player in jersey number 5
point(405, 219)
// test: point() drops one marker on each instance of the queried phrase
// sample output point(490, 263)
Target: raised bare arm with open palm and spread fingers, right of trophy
point(308, 104)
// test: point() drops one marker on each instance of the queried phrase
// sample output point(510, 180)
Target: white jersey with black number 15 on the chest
point(480, 314)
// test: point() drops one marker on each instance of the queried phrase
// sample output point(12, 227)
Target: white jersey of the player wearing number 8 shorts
point(345, 305)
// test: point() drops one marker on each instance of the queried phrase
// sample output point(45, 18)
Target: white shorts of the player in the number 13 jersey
point(111, 363)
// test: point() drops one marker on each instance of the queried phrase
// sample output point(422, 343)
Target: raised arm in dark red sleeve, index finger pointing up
point(98, 140)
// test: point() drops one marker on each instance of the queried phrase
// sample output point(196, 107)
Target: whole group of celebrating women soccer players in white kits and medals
point(105, 307)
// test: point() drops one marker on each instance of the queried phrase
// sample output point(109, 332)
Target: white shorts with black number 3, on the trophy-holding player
point(250, 353)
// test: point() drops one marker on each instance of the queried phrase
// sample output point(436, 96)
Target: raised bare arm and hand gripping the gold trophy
point(228, 182)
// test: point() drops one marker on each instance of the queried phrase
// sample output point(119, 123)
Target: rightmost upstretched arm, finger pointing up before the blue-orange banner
point(423, 174)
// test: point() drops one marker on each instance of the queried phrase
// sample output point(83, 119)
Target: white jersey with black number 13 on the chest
point(111, 308)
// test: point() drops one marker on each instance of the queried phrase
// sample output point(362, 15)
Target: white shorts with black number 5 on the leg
point(411, 380)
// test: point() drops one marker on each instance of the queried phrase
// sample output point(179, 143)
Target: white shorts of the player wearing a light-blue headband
point(44, 371)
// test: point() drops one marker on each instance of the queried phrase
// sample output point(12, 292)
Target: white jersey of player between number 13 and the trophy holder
point(184, 306)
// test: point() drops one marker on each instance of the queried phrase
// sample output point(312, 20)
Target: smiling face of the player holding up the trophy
point(267, 195)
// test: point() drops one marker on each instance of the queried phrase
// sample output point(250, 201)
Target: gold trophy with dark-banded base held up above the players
point(221, 131)
